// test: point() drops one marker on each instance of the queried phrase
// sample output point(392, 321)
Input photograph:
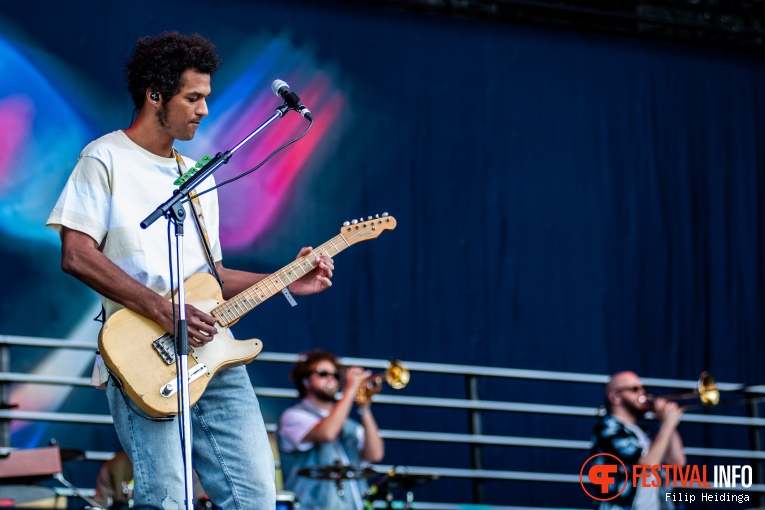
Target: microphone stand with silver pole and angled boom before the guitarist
point(174, 211)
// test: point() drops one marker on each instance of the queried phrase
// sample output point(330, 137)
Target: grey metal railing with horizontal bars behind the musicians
point(473, 405)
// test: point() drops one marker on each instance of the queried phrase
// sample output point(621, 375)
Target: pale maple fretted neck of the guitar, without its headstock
point(238, 306)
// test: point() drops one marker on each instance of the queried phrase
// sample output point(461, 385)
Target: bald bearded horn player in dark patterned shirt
point(618, 433)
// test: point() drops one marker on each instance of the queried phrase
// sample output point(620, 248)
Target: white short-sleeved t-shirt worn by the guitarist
point(115, 185)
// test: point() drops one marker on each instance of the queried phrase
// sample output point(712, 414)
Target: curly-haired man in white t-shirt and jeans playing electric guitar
point(119, 179)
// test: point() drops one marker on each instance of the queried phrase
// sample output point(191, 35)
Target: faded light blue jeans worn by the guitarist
point(230, 448)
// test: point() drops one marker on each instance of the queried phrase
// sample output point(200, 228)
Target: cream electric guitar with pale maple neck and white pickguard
point(142, 355)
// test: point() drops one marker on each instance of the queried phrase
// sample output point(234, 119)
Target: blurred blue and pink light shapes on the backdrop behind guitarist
point(42, 132)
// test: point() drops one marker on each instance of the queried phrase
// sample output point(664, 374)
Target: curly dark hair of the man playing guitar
point(158, 62)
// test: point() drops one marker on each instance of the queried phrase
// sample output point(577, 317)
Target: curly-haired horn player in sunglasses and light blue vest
point(319, 431)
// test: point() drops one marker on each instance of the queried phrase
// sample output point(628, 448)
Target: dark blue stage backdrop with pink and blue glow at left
point(565, 201)
